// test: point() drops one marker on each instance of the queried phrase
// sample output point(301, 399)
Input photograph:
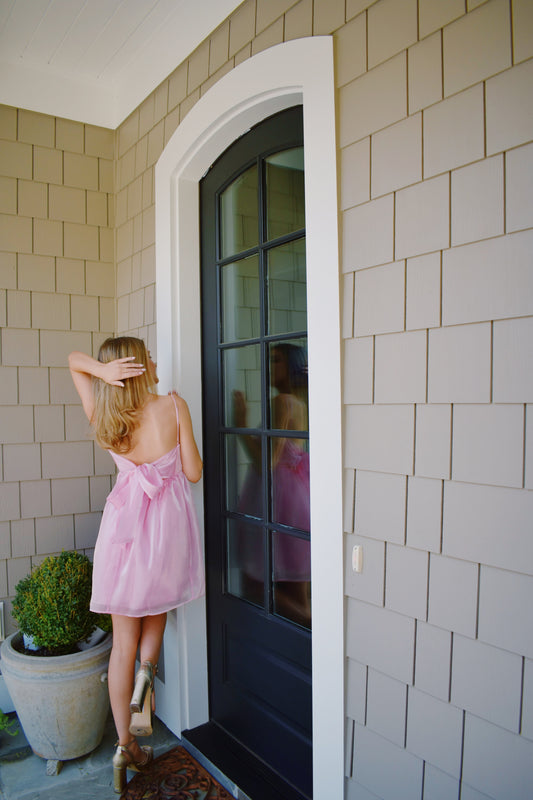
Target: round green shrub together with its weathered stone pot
point(58, 684)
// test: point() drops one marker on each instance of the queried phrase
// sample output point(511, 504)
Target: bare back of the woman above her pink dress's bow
point(157, 432)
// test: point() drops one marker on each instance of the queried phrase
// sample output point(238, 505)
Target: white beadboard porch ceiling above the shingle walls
point(95, 60)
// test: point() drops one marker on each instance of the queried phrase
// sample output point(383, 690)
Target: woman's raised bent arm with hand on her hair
point(83, 368)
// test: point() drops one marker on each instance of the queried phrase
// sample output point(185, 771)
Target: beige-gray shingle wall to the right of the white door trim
point(437, 236)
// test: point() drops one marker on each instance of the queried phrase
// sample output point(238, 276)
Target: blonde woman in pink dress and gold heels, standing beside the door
point(147, 558)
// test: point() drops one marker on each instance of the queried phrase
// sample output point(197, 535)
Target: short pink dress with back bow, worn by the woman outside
point(148, 556)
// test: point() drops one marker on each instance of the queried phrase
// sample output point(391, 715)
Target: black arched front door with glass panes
point(256, 448)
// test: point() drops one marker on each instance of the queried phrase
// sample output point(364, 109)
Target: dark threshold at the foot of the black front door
point(238, 770)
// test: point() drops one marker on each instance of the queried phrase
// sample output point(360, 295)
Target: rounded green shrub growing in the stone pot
point(52, 604)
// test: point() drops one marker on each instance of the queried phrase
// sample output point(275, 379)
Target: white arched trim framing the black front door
point(300, 71)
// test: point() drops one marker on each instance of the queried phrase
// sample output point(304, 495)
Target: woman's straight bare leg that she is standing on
point(126, 636)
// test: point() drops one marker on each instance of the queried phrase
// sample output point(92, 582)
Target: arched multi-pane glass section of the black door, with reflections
point(264, 356)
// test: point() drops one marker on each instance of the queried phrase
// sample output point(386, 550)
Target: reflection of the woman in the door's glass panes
point(291, 566)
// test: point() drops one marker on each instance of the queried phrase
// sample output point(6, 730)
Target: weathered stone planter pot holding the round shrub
point(62, 702)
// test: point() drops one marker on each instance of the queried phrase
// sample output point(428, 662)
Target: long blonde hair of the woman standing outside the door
point(116, 408)
